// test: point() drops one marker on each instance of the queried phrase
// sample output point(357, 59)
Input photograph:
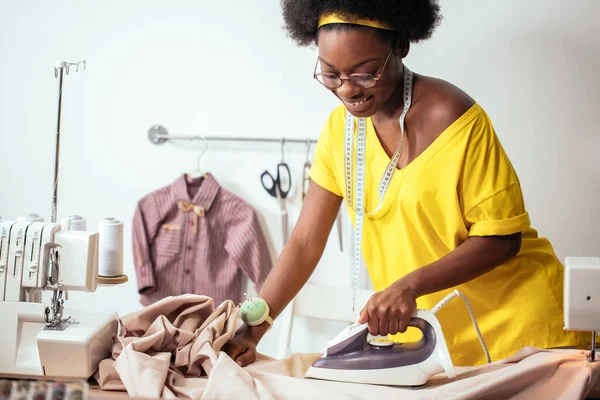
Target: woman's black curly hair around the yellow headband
point(412, 20)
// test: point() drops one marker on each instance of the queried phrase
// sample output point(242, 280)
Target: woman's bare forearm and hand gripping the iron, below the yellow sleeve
point(389, 311)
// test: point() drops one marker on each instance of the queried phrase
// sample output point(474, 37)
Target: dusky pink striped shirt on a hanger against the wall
point(194, 236)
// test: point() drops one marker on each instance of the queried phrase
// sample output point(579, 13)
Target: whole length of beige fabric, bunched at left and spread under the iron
point(171, 349)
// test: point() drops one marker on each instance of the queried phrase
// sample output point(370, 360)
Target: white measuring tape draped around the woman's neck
point(360, 171)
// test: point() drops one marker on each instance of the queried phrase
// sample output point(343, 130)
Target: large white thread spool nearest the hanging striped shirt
point(110, 257)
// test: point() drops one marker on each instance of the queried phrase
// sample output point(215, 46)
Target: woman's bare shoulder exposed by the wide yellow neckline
point(438, 104)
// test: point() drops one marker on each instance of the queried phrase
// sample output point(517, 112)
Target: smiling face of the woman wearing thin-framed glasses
point(351, 51)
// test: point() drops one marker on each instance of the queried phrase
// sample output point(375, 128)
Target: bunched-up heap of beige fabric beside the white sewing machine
point(162, 346)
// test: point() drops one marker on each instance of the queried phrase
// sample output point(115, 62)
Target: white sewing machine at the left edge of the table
point(49, 342)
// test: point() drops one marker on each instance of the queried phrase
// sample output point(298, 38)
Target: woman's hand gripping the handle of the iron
point(389, 311)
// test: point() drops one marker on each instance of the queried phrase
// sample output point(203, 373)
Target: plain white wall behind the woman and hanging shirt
point(201, 67)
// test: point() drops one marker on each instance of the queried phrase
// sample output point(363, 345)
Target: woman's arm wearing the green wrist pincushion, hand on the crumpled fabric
point(294, 266)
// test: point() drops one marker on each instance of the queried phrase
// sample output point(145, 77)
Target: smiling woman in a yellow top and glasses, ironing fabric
point(452, 214)
